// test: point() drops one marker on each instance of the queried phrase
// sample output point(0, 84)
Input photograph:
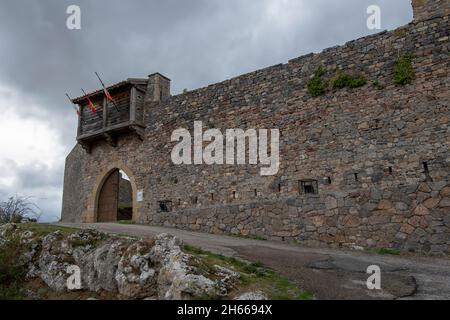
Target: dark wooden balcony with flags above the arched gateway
point(124, 116)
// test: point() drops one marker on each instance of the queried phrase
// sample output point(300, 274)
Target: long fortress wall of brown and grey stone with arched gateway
point(380, 154)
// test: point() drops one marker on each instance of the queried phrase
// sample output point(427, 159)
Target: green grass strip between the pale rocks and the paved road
point(254, 276)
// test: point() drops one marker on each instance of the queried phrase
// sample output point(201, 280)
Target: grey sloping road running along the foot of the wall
point(329, 274)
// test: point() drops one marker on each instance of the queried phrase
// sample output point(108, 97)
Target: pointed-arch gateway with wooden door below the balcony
point(115, 201)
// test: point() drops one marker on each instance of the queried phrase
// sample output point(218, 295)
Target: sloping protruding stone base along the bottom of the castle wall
point(414, 218)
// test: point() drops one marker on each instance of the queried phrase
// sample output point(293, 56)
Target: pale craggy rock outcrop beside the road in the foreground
point(133, 269)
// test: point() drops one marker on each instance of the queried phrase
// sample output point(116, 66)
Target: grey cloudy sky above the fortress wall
point(193, 42)
